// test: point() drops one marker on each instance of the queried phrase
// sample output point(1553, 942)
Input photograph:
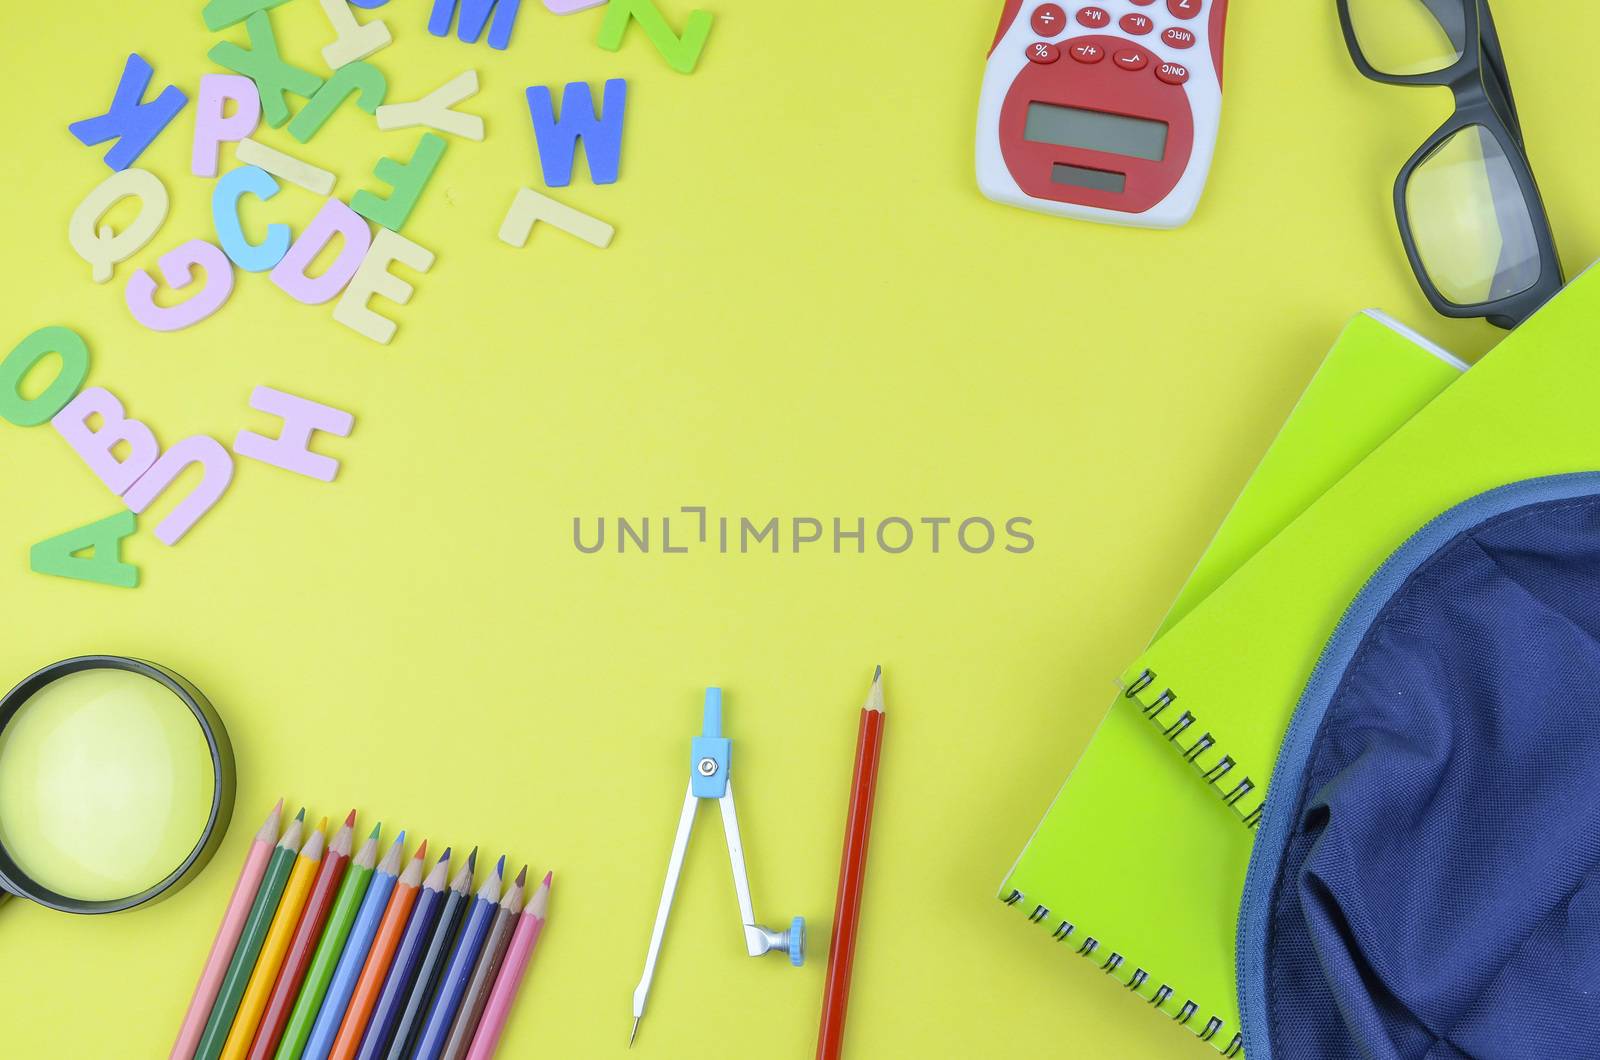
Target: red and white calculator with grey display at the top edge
point(1103, 111)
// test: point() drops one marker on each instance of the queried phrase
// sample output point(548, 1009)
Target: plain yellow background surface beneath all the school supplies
point(809, 311)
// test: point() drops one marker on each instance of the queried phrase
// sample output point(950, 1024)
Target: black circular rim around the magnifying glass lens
point(22, 885)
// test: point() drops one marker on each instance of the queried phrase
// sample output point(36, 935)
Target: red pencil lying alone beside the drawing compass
point(852, 873)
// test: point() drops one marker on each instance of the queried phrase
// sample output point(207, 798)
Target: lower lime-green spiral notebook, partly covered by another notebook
point(1161, 920)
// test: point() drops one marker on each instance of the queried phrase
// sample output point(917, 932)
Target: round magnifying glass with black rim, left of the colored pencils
point(114, 777)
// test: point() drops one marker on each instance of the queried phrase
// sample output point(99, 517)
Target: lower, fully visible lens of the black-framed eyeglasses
point(1470, 220)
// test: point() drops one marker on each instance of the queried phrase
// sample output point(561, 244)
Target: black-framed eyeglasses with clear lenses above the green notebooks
point(1470, 212)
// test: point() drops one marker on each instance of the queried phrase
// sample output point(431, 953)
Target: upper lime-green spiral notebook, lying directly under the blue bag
point(1233, 670)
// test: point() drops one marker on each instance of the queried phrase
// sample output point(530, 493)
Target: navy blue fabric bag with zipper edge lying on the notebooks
point(1426, 880)
